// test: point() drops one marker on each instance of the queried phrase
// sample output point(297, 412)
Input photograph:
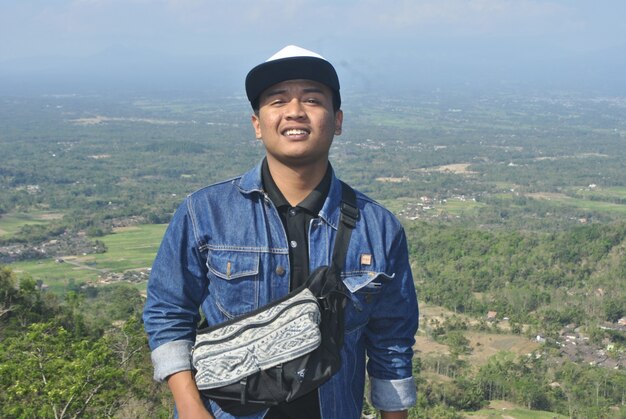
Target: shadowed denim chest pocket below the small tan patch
point(365, 290)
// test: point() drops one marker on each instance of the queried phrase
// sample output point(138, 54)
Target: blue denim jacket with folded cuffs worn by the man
point(225, 251)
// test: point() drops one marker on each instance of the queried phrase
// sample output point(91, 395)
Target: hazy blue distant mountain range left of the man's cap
point(123, 67)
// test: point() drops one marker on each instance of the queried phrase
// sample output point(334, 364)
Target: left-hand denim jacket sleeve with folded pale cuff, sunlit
point(176, 287)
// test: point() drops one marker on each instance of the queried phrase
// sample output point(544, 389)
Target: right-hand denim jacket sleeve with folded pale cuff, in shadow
point(390, 335)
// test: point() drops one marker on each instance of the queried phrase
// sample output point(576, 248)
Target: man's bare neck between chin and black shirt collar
point(296, 183)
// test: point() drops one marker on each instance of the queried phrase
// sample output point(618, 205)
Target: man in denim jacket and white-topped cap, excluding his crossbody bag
point(238, 245)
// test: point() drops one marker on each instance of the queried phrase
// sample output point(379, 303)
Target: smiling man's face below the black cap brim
point(296, 122)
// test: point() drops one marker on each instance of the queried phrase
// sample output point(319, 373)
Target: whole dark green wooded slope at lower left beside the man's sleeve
point(54, 363)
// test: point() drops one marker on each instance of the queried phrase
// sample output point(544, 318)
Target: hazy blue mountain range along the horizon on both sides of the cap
point(470, 64)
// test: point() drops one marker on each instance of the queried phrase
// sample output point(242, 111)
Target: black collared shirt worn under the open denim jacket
point(296, 221)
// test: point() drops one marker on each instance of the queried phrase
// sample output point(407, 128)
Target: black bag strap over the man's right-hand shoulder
point(347, 222)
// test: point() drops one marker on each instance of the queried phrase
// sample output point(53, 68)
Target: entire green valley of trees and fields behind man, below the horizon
point(513, 203)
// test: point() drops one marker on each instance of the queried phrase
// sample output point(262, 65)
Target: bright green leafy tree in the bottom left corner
point(47, 373)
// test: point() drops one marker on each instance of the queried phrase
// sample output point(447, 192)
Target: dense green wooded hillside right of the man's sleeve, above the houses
point(521, 275)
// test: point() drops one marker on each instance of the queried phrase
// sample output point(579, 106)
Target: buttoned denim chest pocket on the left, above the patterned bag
point(234, 281)
